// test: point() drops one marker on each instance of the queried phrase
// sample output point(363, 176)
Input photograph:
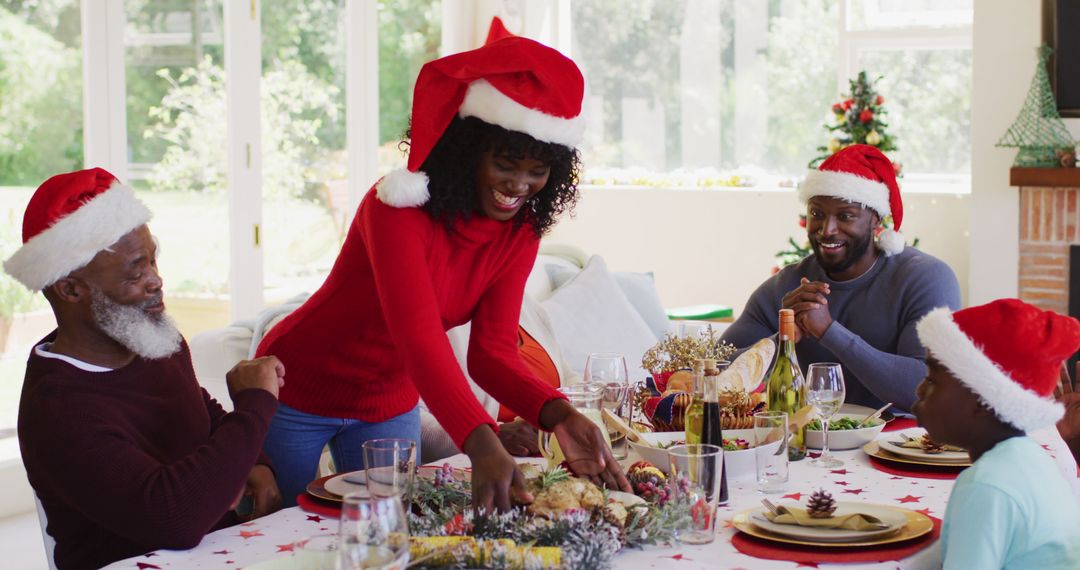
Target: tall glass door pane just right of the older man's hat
point(174, 78)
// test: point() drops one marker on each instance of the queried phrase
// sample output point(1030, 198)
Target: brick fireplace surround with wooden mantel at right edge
point(1049, 226)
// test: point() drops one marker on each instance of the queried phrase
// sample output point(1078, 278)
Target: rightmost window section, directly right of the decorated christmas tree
point(922, 51)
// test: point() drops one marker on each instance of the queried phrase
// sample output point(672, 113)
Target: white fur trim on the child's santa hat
point(1022, 409)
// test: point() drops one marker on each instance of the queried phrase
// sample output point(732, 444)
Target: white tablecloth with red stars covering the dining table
point(860, 480)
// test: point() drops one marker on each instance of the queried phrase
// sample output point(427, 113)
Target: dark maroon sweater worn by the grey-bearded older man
point(136, 459)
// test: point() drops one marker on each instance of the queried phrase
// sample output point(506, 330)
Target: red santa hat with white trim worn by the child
point(1009, 354)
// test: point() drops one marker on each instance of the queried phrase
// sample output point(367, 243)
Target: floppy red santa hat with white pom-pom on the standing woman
point(512, 83)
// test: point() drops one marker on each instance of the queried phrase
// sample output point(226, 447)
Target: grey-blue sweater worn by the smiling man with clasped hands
point(873, 332)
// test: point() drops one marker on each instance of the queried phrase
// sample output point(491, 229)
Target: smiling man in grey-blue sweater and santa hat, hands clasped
point(858, 297)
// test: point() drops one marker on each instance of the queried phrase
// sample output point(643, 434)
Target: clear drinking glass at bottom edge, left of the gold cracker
point(374, 533)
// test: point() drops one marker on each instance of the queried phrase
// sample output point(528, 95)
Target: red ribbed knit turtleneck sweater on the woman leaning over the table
point(374, 336)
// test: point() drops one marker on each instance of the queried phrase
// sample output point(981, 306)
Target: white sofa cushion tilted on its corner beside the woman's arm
point(590, 314)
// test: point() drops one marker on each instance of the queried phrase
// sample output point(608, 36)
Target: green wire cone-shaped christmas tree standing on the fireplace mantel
point(1038, 132)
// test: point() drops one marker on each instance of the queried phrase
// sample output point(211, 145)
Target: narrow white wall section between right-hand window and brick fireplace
point(1006, 37)
